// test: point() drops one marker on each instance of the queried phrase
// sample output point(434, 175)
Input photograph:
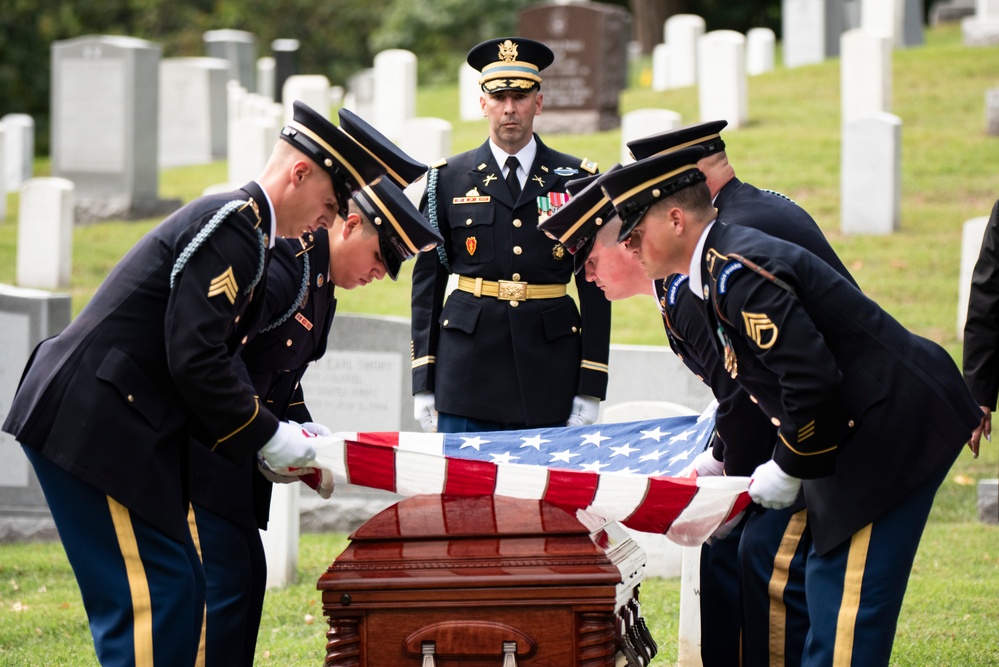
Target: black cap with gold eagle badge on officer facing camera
point(510, 63)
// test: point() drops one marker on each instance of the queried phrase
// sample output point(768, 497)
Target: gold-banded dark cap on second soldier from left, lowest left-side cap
point(402, 230)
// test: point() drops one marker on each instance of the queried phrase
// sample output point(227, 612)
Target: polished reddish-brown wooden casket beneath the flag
point(485, 581)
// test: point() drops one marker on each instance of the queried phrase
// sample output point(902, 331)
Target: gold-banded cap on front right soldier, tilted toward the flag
point(637, 186)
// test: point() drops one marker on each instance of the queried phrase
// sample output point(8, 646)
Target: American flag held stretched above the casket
point(633, 472)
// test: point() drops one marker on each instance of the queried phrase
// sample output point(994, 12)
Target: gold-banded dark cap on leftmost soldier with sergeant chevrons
point(341, 156)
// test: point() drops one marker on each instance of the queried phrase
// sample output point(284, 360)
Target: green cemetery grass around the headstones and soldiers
point(950, 174)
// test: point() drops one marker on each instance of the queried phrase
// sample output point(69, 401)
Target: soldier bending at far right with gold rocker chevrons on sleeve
point(869, 416)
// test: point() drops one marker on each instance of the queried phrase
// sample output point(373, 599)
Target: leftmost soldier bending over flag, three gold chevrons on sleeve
point(105, 410)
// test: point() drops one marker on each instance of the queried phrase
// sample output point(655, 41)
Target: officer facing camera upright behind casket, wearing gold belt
point(509, 349)
